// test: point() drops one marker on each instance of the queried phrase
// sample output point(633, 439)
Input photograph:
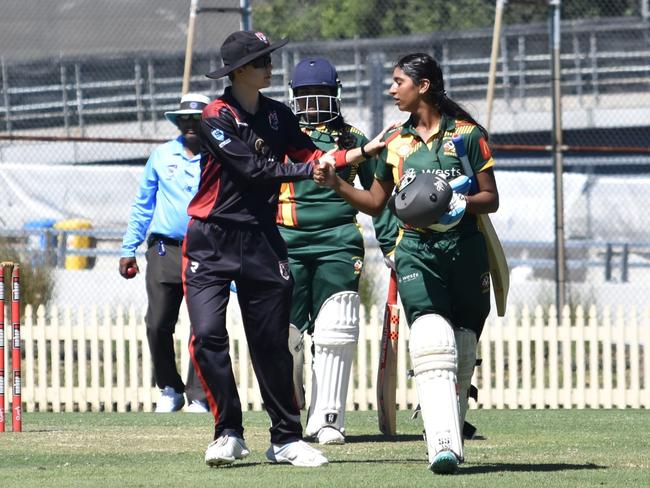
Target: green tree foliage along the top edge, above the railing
point(306, 20)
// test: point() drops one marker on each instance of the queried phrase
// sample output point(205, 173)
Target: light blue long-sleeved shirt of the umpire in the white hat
point(170, 180)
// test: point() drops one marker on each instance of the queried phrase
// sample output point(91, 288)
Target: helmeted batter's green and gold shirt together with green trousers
point(324, 240)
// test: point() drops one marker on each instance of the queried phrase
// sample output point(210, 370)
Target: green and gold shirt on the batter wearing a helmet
point(305, 206)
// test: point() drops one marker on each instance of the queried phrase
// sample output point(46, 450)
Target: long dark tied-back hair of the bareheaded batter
point(420, 66)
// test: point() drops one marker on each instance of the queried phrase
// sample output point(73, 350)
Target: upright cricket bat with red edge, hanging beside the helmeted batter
point(387, 372)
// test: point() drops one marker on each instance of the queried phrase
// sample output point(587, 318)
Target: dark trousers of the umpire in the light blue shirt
point(165, 294)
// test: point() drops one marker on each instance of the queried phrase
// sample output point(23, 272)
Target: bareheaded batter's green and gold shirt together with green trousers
point(445, 273)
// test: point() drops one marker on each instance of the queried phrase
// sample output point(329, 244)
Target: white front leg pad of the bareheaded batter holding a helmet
point(433, 354)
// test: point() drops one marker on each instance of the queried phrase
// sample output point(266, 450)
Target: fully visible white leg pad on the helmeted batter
point(336, 331)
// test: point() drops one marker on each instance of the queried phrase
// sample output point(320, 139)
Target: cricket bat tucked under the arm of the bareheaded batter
point(497, 259)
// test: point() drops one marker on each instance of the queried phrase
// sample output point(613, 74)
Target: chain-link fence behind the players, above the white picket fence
point(84, 86)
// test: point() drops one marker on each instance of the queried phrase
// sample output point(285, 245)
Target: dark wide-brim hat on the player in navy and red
point(242, 47)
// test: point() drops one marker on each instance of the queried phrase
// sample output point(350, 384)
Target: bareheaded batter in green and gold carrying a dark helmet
point(442, 267)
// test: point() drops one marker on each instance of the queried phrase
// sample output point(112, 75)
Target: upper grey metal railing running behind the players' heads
point(141, 89)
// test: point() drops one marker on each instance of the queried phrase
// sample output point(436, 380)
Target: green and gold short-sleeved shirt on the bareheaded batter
point(405, 150)
